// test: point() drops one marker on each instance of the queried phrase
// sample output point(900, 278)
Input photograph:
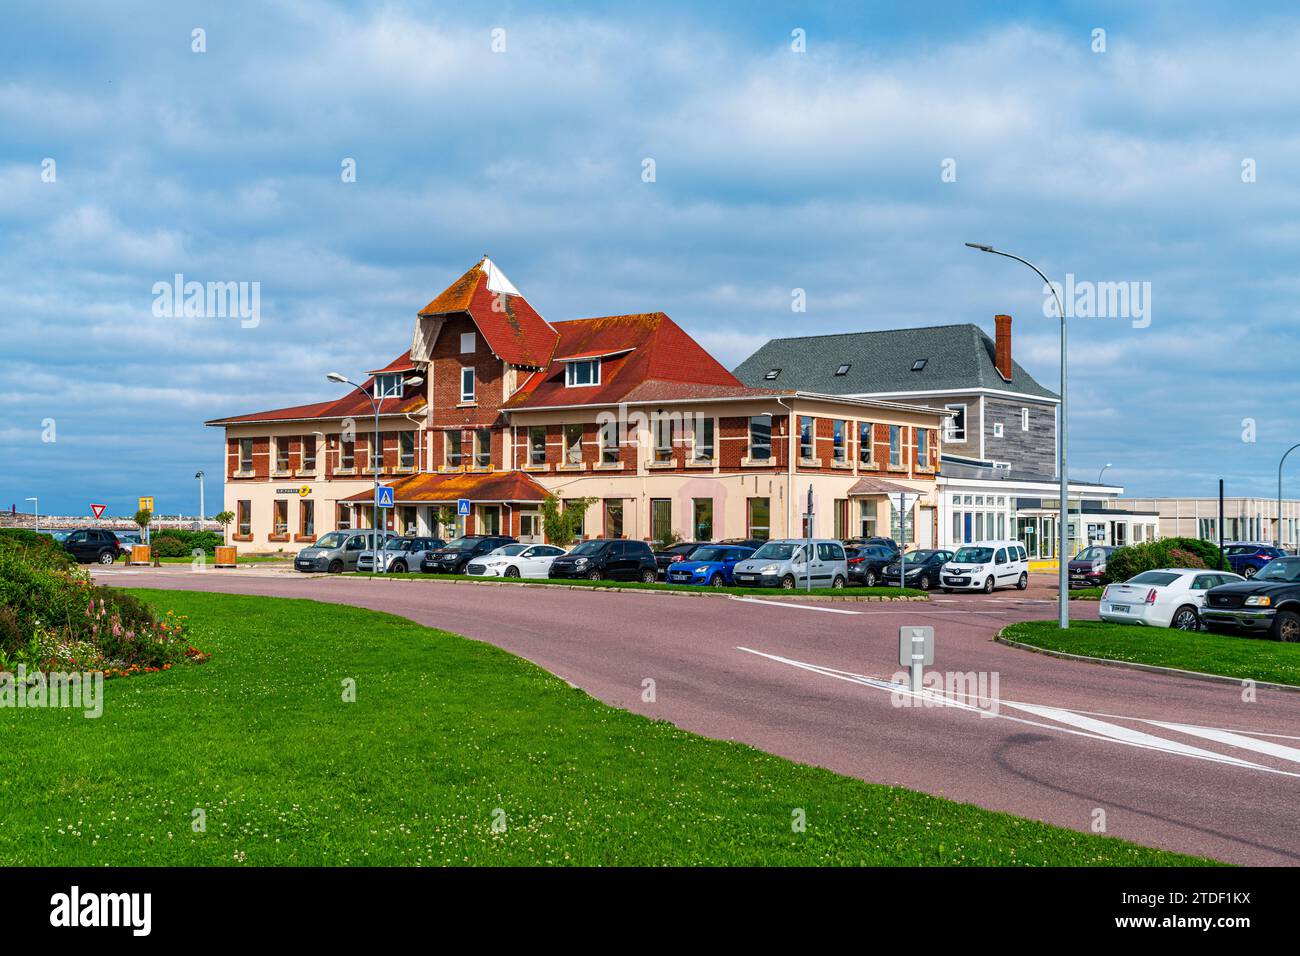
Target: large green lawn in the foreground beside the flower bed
point(447, 734)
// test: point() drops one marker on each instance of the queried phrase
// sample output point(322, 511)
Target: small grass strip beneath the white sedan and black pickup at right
point(1210, 654)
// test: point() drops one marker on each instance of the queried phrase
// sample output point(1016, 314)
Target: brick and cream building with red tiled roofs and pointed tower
point(500, 408)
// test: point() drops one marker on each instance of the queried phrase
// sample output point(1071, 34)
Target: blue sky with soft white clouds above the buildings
point(775, 171)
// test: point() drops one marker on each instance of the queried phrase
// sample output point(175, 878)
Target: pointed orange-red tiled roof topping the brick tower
point(513, 328)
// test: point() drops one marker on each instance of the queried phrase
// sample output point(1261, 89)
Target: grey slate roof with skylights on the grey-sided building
point(957, 357)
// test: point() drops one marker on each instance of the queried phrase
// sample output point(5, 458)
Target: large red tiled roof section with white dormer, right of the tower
point(651, 348)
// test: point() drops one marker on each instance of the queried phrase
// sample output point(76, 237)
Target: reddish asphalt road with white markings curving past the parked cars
point(1167, 762)
